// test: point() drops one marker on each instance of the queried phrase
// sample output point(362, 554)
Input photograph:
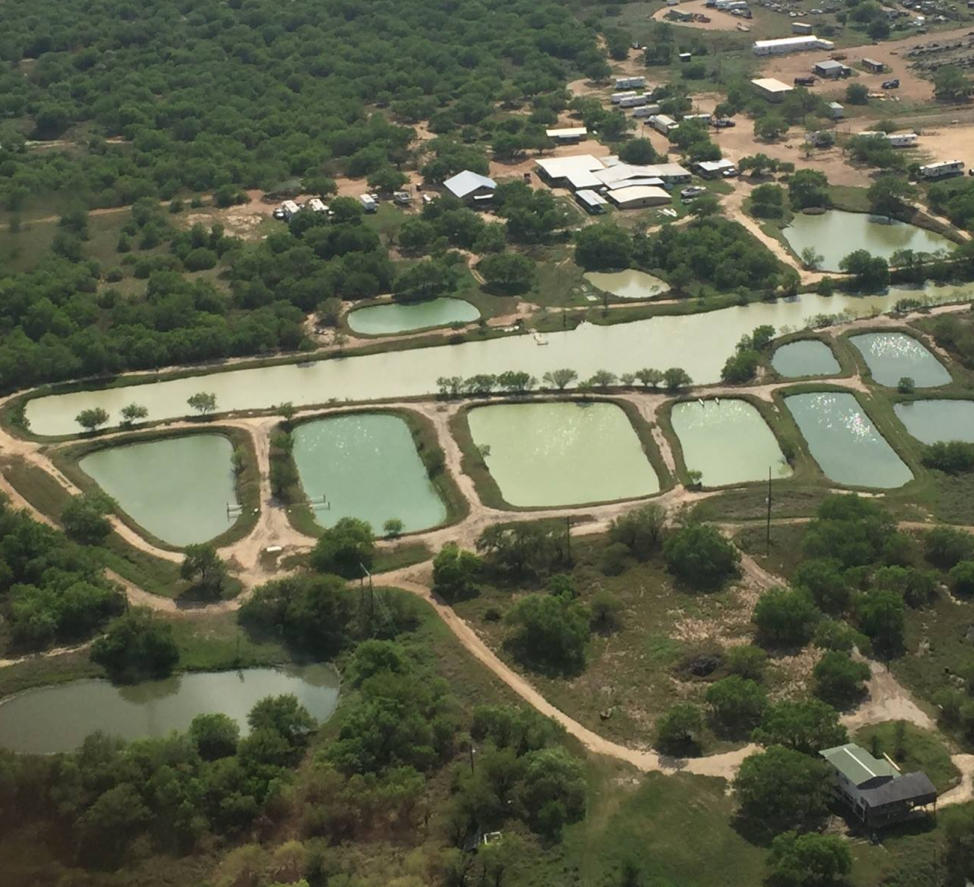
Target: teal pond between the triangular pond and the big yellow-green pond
point(366, 466)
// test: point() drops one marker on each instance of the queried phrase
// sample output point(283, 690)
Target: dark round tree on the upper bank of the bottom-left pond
point(137, 645)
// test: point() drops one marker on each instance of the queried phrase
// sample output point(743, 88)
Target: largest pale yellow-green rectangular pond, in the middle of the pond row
point(548, 454)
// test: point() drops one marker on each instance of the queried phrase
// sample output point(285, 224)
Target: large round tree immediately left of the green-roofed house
point(781, 789)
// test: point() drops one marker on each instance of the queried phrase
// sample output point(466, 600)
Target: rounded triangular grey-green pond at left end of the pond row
point(177, 488)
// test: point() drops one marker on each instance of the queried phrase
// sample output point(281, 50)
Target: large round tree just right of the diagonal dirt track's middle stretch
point(550, 632)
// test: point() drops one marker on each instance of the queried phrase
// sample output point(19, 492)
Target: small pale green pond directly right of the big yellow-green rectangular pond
point(728, 441)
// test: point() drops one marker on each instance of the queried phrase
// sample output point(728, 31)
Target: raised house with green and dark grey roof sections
point(874, 788)
